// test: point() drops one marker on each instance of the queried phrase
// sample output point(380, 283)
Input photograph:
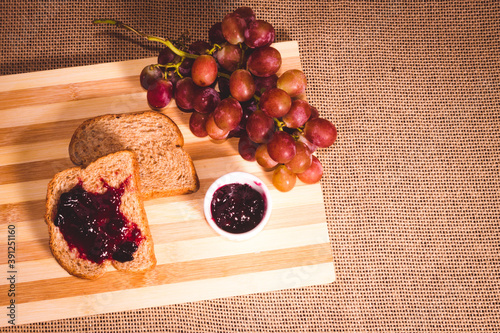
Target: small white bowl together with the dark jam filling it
point(237, 205)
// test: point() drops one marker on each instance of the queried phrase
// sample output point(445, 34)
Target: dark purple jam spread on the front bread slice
point(93, 224)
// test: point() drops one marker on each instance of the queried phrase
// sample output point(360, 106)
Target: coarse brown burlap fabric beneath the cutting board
point(412, 185)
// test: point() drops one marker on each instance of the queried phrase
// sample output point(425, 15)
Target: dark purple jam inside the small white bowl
point(237, 208)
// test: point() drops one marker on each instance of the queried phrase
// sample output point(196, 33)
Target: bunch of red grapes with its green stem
point(231, 88)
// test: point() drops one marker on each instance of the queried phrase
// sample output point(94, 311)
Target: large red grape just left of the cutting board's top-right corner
point(264, 61)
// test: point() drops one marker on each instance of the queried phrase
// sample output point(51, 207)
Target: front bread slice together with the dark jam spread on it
point(115, 174)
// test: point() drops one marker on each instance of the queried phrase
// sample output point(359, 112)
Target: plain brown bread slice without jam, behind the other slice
point(165, 168)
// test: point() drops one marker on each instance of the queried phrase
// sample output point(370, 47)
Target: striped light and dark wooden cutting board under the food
point(39, 112)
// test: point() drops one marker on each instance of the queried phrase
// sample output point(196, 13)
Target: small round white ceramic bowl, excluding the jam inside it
point(241, 178)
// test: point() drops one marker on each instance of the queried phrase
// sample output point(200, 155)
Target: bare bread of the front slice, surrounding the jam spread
point(114, 170)
